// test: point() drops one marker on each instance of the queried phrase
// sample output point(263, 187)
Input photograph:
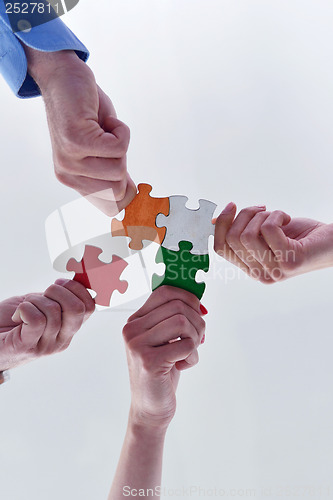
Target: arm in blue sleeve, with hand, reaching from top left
point(89, 143)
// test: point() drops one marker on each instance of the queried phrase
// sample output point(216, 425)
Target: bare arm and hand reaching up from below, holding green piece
point(155, 359)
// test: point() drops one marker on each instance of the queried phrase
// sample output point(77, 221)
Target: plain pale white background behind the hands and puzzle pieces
point(229, 101)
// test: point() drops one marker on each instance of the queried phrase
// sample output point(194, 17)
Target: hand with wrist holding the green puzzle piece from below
point(155, 357)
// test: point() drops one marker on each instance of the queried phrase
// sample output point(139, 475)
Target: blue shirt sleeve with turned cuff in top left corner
point(51, 36)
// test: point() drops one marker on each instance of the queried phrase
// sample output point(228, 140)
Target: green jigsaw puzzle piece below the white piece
point(181, 268)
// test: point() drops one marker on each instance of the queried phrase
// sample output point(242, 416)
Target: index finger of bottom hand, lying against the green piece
point(166, 294)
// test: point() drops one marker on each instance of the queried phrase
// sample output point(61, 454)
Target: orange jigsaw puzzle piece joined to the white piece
point(140, 216)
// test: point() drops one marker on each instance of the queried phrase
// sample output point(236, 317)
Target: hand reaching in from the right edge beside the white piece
point(271, 246)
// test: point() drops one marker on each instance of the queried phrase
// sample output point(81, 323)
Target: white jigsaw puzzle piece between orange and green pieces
point(184, 224)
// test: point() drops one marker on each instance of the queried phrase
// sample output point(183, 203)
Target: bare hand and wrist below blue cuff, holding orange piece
point(89, 142)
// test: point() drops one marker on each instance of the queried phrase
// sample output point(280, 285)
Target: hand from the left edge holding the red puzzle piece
point(39, 324)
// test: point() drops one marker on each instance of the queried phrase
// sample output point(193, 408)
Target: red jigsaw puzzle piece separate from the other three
point(99, 276)
